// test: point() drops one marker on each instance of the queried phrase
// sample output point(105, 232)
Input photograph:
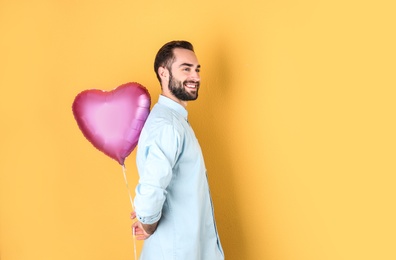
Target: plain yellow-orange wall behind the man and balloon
point(296, 118)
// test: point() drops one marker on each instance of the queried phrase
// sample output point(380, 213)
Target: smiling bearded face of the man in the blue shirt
point(184, 75)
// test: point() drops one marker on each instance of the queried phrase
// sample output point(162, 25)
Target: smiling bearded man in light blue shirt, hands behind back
point(173, 206)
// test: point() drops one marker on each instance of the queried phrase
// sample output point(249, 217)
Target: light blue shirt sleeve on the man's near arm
point(160, 153)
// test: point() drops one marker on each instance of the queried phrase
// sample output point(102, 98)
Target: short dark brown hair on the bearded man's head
point(165, 56)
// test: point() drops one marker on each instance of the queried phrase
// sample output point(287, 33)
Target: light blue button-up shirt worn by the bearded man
point(173, 189)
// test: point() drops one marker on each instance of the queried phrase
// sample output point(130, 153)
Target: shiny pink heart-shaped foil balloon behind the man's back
point(112, 121)
